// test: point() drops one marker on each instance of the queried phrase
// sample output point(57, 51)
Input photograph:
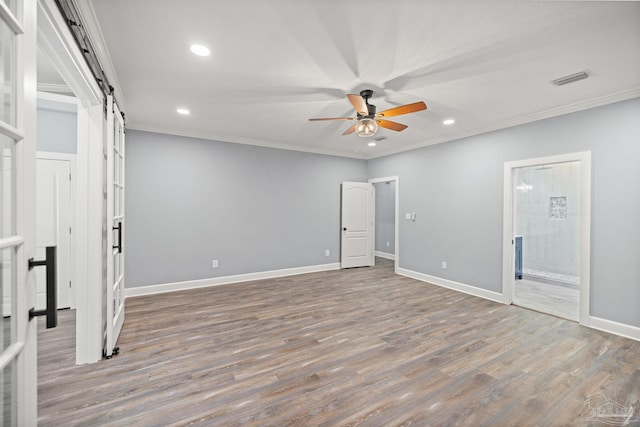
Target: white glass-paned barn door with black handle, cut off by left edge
point(18, 361)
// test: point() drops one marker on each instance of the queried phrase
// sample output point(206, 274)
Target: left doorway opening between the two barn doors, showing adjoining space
point(57, 123)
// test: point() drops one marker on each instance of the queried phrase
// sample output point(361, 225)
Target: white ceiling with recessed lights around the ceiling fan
point(274, 64)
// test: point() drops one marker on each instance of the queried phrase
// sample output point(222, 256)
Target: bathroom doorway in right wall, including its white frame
point(547, 235)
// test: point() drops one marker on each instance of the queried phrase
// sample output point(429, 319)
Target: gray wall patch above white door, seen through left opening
point(57, 127)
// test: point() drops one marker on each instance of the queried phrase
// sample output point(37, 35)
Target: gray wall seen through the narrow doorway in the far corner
point(385, 216)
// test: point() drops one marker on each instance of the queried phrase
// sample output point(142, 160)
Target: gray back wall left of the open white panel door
point(190, 201)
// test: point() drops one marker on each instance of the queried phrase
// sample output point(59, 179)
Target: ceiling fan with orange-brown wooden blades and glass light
point(367, 118)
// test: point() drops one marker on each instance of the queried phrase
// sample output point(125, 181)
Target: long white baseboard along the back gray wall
point(226, 280)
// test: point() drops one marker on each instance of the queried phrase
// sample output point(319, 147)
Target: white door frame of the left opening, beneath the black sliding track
point(57, 43)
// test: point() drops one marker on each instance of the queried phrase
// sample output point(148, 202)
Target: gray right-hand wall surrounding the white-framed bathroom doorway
point(456, 190)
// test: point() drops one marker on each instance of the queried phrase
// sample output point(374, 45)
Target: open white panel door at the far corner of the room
point(357, 224)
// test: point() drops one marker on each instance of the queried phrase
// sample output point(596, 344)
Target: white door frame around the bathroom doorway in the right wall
point(508, 246)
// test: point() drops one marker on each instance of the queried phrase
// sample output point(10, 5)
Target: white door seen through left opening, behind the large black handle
point(53, 225)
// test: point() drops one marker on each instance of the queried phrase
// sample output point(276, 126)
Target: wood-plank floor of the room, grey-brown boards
point(340, 348)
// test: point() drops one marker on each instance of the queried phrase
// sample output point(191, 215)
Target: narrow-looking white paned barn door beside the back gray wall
point(115, 221)
